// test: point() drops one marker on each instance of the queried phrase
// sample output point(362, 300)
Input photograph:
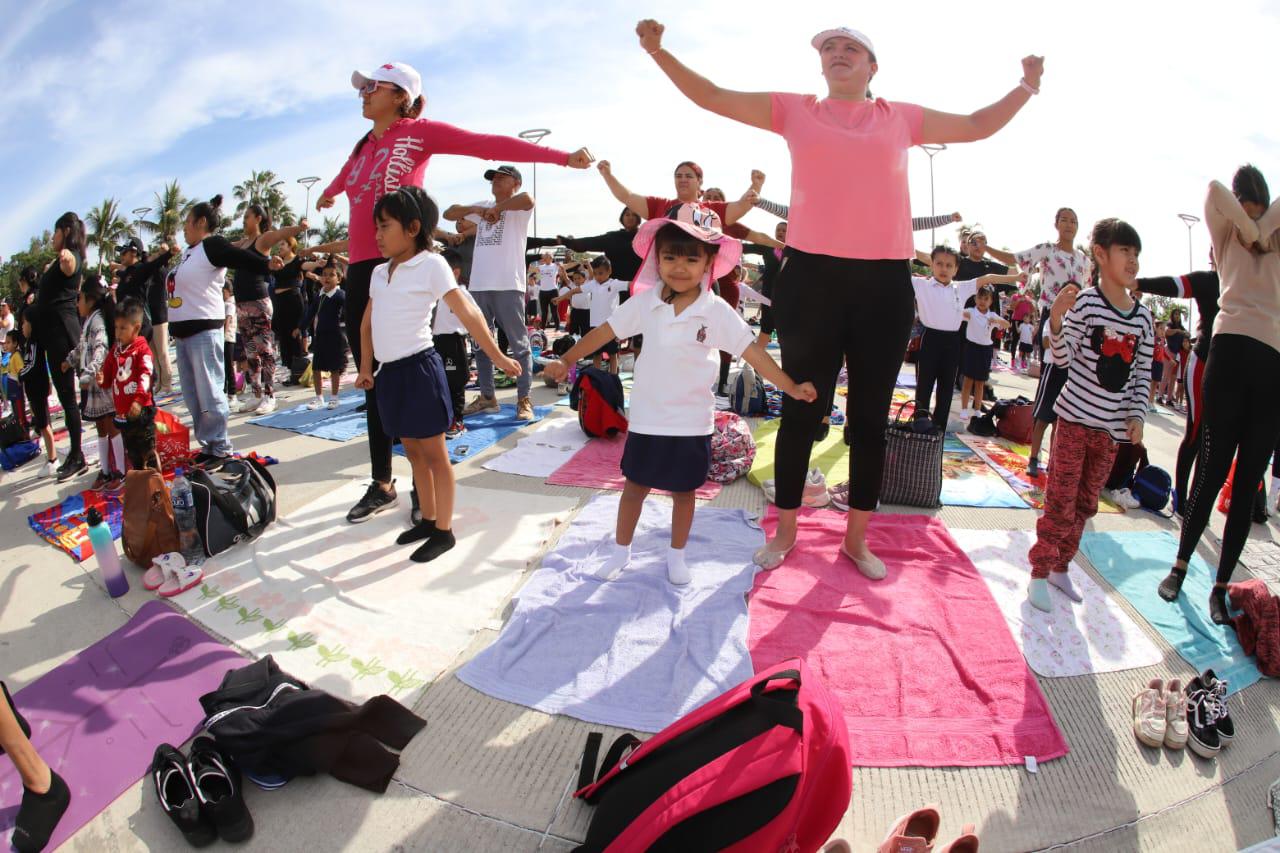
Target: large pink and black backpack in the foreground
point(762, 769)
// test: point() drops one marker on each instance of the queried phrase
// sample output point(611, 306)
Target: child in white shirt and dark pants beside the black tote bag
point(940, 302)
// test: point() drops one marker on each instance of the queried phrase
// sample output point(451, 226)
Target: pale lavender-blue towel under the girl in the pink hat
point(636, 653)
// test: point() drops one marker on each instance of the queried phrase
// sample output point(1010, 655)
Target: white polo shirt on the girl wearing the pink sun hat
point(680, 362)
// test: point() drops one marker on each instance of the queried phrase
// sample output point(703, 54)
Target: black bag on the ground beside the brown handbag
point(234, 505)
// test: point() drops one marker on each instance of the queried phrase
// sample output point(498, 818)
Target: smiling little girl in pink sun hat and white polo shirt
point(673, 408)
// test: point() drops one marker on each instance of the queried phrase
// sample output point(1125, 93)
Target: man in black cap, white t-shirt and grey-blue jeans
point(499, 280)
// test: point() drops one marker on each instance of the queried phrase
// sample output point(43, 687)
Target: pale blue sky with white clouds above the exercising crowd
point(1141, 104)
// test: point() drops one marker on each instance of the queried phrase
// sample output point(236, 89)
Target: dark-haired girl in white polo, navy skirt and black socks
point(413, 393)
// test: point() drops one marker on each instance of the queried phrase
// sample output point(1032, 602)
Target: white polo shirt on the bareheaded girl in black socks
point(403, 304)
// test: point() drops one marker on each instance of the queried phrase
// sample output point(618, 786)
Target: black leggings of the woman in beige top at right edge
point(1241, 422)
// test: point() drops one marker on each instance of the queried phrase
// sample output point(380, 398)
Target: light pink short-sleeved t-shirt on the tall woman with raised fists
point(849, 191)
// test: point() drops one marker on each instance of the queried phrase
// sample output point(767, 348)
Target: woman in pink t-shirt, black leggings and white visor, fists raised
point(849, 241)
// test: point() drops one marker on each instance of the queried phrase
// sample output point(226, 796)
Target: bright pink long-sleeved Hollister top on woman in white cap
point(399, 159)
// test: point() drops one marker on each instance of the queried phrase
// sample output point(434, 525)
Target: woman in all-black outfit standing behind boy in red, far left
point(58, 329)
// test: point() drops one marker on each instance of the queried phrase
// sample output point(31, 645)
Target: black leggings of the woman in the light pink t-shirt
point(822, 308)
